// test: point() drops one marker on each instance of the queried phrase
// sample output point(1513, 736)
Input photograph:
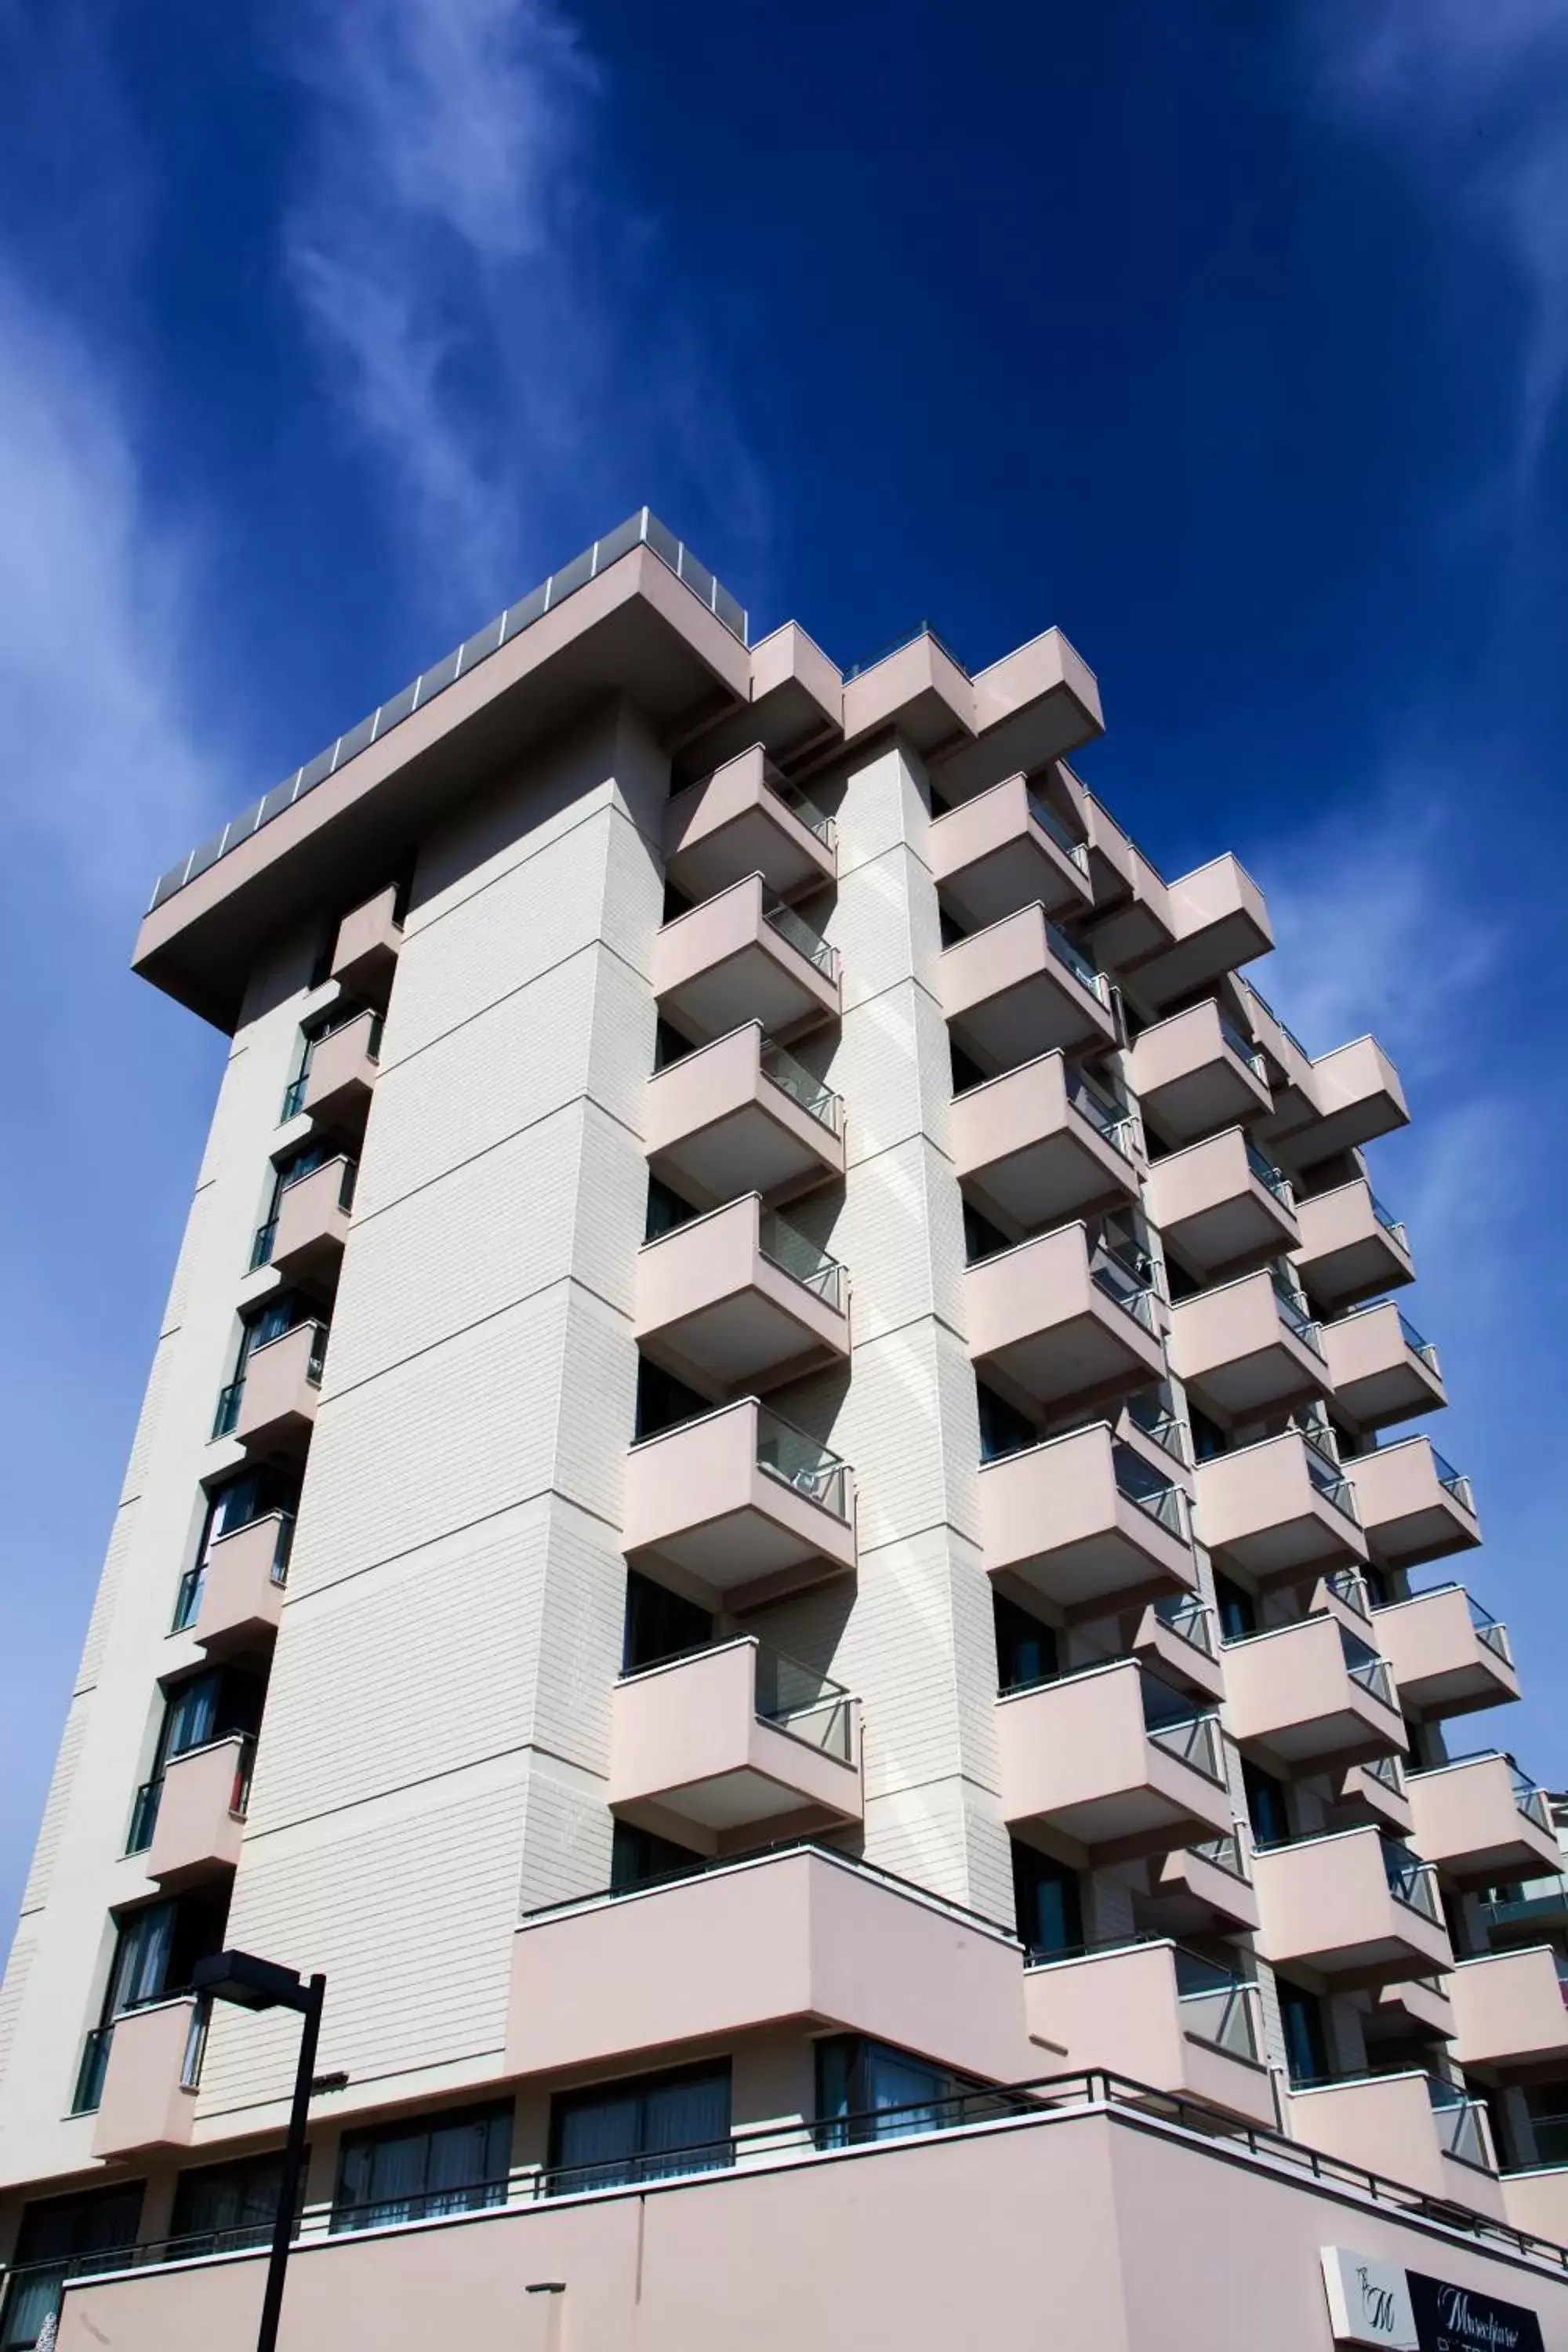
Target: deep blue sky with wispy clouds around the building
point(1231, 340)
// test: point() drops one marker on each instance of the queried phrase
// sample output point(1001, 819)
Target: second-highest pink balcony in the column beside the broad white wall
point(744, 956)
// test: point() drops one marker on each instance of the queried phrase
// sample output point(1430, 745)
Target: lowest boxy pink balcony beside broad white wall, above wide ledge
point(735, 1739)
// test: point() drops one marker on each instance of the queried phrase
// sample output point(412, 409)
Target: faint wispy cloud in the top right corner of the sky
point(1473, 95)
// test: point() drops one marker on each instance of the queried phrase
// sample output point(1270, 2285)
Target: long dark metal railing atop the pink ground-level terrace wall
point(1021, 2106)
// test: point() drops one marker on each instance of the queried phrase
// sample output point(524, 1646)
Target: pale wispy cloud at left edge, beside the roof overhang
point(105, 773)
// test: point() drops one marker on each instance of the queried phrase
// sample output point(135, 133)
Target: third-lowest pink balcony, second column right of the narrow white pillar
point(1313, 1697)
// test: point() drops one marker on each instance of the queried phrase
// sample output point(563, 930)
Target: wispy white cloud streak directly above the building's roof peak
point(495, 326)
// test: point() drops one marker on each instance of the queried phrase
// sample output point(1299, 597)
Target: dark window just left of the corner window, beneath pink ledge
point(643, 2130)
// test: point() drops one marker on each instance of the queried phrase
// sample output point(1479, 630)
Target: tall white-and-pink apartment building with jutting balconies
point(777, 1499)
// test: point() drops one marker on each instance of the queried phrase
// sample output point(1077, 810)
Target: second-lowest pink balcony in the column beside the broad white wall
point(744, 1502)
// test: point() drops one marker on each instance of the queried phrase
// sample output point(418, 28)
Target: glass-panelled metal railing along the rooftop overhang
point(638, 530)
